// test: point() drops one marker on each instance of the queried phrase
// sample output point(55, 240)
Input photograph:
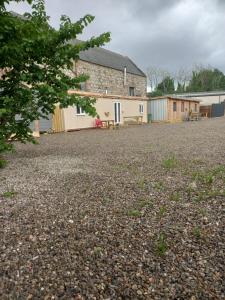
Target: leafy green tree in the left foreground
point(34, 58)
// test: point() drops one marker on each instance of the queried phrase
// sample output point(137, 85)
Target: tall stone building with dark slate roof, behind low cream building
point(110, 73)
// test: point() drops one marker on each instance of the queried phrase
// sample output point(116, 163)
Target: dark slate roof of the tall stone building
point(110, 59)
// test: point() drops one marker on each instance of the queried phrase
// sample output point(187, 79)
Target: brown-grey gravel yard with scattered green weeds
point(135, 213)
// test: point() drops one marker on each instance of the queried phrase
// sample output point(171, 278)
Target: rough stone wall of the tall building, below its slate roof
point(104, 78)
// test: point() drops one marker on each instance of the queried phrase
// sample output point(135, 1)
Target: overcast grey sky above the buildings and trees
point(164, 33)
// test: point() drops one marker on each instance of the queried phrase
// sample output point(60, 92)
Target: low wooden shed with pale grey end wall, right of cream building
point(172, 109)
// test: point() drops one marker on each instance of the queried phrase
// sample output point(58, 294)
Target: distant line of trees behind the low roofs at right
point(200, 79)
